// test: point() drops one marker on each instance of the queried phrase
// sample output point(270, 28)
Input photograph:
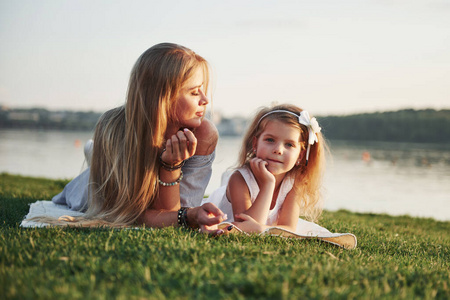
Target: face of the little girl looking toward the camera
point(279, 145)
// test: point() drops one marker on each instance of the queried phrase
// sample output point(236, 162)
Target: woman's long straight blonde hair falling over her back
point(128, 139)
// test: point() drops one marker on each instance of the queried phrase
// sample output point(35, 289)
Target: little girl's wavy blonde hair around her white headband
point(308, 179)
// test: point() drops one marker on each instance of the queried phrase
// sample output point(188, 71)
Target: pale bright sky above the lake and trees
point(329, 57)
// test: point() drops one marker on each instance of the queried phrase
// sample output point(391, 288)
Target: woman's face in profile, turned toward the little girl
point(191, 101)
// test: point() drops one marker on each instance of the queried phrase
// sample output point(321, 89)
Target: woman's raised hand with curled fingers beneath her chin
point(179, 147)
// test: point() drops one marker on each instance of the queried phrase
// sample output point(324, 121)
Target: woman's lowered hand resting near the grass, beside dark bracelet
point(206, 218)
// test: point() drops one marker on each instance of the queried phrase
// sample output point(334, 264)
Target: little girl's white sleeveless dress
point(219, 198)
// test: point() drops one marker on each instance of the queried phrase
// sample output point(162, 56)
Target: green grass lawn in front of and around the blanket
point(396, 257)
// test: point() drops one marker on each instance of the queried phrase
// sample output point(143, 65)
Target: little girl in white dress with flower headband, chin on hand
point(279, 174)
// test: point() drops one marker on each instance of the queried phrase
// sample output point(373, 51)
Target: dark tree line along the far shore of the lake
point(408, 125)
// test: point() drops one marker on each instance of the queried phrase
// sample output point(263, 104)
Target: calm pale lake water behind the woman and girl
point(392, 178)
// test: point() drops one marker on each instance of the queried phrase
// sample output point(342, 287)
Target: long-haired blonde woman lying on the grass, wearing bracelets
point(153, 148)
